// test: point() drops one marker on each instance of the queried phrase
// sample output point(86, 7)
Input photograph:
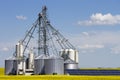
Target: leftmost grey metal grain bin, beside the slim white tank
point(11, 66)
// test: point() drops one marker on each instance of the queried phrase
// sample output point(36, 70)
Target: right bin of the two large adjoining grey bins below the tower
point(54, 65)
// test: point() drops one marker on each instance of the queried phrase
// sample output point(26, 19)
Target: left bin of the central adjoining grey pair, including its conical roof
point(39, 67)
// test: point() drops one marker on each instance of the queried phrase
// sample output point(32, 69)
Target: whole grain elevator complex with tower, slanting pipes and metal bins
point(49, 41)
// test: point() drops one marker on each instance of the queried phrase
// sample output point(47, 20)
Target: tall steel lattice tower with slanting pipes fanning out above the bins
point(48, 37)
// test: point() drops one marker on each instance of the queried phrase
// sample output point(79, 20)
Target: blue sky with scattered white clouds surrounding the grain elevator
point(93, 26)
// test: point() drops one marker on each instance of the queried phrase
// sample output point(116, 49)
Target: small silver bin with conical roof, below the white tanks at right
point(70, 64)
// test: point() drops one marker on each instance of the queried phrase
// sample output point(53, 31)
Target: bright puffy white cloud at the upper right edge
point(101, 19)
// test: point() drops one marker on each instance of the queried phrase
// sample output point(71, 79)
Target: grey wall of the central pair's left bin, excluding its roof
point(39, 66)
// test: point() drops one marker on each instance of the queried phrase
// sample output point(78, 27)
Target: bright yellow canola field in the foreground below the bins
point(55, 77)
